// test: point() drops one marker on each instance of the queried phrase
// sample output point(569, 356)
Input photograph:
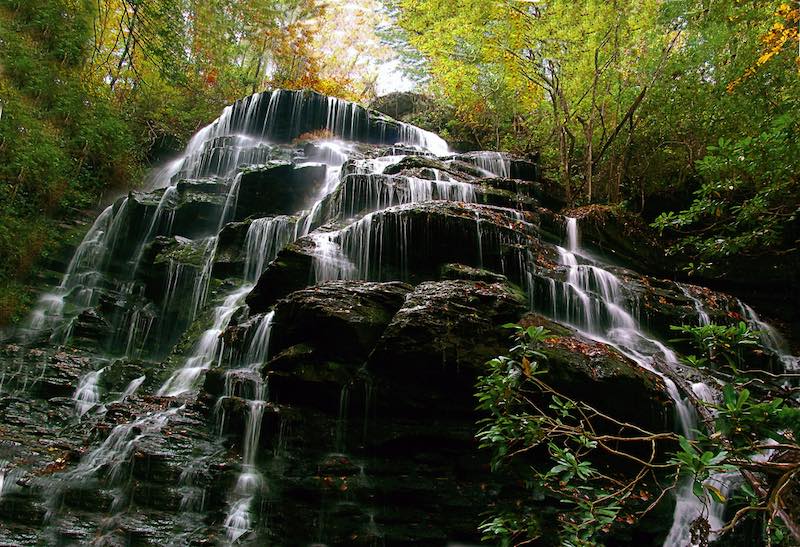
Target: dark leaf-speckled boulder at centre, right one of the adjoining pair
point(440, 339)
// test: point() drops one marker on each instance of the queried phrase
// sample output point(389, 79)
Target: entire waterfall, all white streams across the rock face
point(361, 224)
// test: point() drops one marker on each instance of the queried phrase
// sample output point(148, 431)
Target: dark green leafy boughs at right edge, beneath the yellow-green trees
point(747, 201)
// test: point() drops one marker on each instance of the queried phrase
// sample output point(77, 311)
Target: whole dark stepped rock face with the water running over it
point(279, 344)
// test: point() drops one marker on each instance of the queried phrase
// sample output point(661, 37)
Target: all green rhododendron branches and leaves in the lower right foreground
point(598, 478)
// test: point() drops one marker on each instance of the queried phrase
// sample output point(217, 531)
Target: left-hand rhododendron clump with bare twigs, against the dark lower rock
point(584, 450)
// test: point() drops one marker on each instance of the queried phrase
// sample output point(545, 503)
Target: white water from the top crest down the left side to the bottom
point(239, 137)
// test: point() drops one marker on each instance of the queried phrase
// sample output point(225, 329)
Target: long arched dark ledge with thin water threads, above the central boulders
point(409, 242)
